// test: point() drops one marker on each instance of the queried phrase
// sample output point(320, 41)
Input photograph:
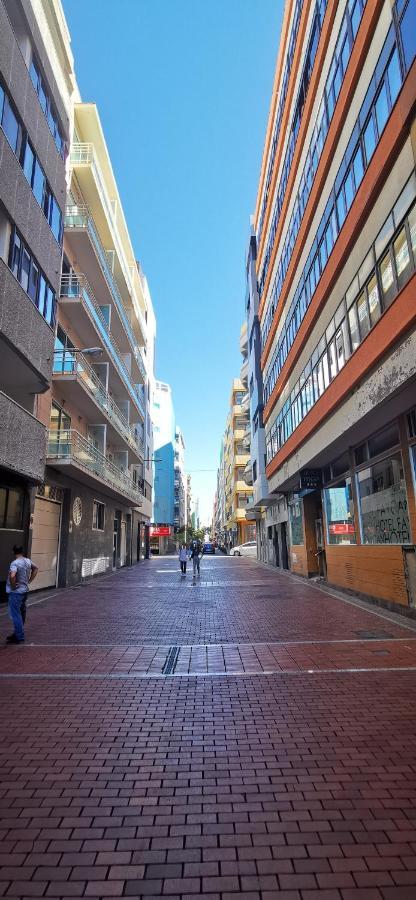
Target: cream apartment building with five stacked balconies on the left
point(97, 412)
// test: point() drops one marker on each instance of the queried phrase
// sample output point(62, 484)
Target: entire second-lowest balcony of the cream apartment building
point(80, 384)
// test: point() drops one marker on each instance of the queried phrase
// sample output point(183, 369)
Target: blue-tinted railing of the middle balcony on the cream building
point(76, 287)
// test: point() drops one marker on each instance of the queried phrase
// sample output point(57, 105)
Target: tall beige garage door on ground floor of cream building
point(45, 542)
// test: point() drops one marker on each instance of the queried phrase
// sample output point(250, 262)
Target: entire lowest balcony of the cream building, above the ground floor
point(75, 455)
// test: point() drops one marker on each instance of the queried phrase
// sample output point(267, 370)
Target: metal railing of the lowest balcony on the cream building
point(73, 446)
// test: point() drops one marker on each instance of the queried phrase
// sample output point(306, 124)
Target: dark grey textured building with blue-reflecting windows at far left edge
point(36, 86)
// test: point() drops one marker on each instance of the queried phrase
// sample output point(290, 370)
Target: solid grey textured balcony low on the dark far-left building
point(22, 441)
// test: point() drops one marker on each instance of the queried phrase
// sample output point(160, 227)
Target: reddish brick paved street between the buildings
point(251, 735)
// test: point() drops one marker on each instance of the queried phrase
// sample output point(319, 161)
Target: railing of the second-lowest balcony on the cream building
point(72, 362)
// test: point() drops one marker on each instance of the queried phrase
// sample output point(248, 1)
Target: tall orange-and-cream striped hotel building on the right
point(336, 253)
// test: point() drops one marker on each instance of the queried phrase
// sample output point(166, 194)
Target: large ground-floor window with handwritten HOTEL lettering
point(383, 502)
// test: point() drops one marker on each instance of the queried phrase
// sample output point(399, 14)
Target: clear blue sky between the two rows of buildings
point(183, 90)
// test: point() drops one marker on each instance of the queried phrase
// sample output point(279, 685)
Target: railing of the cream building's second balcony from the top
point(80, 217)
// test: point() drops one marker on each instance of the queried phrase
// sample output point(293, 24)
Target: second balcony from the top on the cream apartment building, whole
point(82, 236)
